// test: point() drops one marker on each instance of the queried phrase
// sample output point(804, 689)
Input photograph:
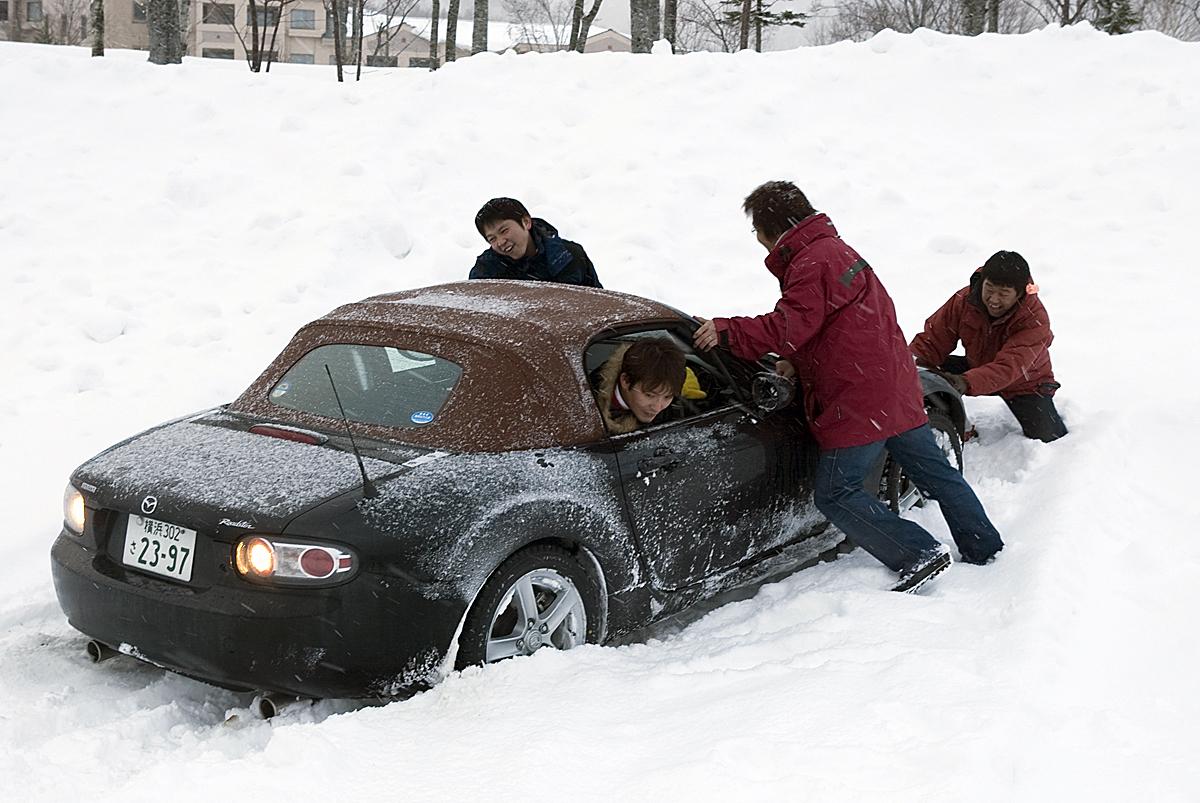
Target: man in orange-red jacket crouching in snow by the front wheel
point(1006, 334)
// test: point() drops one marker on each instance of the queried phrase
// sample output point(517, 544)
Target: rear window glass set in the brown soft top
point(377, 385)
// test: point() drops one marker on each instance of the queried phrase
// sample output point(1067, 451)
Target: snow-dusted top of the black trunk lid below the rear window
point(201, 472)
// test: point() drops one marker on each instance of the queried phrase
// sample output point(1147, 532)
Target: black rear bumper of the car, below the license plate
point(374, 637)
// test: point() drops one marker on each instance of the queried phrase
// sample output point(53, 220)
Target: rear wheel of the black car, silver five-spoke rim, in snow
point(541, 597)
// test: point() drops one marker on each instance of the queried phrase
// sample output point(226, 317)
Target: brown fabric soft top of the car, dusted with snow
point(520, 346)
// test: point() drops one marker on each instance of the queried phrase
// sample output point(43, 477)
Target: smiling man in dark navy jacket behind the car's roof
point(527, 248)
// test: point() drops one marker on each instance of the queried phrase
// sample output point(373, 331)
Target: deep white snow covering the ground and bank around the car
point(164, 231)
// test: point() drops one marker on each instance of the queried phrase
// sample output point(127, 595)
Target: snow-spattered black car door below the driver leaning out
point(717, 488)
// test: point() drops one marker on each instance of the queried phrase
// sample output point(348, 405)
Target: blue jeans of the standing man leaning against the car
point(897, 543)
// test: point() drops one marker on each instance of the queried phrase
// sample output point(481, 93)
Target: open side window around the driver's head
point(706, 388)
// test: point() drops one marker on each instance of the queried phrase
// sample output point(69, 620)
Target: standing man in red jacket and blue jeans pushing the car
point(837, 328)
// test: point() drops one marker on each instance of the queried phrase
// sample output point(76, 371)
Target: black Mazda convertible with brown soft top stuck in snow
point(241, 547)
